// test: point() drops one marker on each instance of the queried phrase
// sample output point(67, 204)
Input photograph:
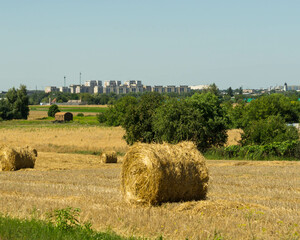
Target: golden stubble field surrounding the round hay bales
point(246, 199)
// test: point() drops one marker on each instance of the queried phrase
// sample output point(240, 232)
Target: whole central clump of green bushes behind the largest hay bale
point(157, 118)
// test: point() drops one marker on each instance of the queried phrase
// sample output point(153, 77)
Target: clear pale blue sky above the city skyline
point(233, 43)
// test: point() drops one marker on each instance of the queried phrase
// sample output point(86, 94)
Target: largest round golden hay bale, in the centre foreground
point(156, 173)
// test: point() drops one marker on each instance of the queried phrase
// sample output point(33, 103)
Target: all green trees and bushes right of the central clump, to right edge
point(265, 120)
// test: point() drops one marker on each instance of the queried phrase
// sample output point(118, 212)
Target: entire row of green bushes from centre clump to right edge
point(204, 118)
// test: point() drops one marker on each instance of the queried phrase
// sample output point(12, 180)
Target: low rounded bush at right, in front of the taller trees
point(264, 131)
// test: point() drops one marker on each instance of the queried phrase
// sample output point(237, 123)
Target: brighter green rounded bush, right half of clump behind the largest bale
point(199, 119)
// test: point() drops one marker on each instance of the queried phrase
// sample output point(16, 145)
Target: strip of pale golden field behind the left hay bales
point(65, 138)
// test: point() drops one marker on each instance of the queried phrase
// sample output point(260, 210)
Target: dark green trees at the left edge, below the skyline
point(15, 105)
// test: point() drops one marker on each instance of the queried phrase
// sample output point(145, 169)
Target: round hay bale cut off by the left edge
point(12, 159)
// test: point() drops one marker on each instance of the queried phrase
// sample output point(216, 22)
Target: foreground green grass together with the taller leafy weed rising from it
point(63, 224)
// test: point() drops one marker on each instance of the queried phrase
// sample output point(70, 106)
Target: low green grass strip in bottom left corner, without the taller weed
point(17, 229)
